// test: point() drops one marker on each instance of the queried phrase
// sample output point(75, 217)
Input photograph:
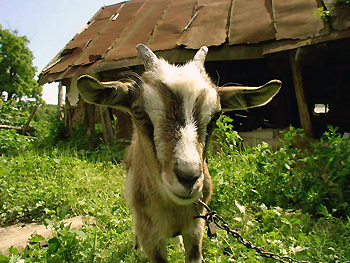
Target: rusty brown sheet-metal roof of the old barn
point(232, 29)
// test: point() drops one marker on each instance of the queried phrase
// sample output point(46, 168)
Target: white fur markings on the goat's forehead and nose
point(188, 82)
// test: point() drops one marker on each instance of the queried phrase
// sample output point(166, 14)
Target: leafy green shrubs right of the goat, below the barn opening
point(311, 179)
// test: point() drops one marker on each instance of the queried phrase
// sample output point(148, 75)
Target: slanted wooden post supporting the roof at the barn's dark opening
point(304, 115)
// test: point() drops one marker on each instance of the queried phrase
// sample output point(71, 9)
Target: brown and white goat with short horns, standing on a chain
point(173, 110)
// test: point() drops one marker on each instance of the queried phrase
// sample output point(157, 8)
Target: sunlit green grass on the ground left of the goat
point(39, 186)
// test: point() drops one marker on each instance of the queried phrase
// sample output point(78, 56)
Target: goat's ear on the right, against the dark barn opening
point(241, 98)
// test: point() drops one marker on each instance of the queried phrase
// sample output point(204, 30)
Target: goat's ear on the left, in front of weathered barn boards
point(110, 94)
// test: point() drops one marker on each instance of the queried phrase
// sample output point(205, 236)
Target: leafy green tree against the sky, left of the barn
point(16, 67)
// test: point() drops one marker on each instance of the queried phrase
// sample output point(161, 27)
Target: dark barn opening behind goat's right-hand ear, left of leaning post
point(281, 111)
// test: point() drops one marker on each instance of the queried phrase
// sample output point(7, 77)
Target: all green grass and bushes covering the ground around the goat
point(288, 201)
